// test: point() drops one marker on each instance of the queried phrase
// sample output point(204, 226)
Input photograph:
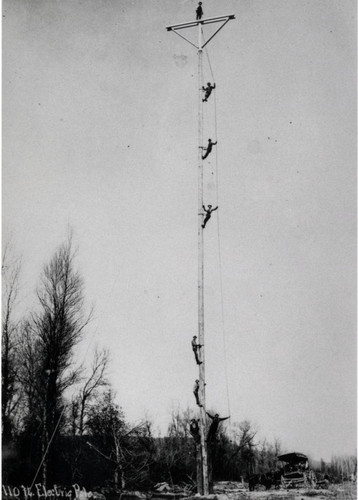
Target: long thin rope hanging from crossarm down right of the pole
point(219, 247)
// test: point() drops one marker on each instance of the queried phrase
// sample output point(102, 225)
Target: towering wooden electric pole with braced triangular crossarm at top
point(202, 451)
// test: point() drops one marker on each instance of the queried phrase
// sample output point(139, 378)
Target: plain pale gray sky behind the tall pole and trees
point(100, 133)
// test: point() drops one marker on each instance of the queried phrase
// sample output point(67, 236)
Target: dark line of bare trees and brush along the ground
point(60, 421)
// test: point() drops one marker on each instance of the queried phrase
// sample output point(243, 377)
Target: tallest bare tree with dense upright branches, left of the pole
point(57, 327)
